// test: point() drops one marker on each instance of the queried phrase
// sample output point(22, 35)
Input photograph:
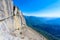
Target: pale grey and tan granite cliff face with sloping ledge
point(13, 25)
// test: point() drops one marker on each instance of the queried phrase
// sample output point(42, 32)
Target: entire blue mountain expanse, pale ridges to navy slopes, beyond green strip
point(51, 26)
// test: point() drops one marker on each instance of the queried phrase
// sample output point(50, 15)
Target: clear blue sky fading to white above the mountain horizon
point(41, 8)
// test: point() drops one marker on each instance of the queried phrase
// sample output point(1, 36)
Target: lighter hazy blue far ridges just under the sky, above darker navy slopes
point(41, 20)
